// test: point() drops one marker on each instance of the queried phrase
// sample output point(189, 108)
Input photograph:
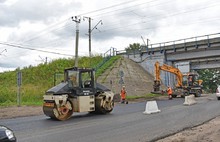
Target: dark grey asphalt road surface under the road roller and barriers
point(126, 123)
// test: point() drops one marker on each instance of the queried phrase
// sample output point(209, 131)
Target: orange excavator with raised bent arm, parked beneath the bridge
point(186, 83)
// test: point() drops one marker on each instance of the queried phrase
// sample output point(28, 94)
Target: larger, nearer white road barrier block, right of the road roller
point(151, 107)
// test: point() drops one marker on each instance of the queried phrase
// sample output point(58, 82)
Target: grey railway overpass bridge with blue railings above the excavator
point(190, 54)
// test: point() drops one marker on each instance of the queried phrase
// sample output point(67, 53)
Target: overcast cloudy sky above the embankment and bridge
point(32, 31)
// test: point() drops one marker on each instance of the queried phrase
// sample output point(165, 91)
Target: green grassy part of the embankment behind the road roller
point(36, 80)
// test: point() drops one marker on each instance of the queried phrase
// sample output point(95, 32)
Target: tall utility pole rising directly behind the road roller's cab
point(77, 20)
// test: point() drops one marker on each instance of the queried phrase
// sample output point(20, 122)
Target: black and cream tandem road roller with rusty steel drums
point(78, 92)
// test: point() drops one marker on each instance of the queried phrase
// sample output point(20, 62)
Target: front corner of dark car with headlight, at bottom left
point(6, 135)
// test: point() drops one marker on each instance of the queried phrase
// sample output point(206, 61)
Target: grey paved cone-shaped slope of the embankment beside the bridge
point(136, 80)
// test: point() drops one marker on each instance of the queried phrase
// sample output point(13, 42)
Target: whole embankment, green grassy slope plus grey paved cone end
point(36, 80)
